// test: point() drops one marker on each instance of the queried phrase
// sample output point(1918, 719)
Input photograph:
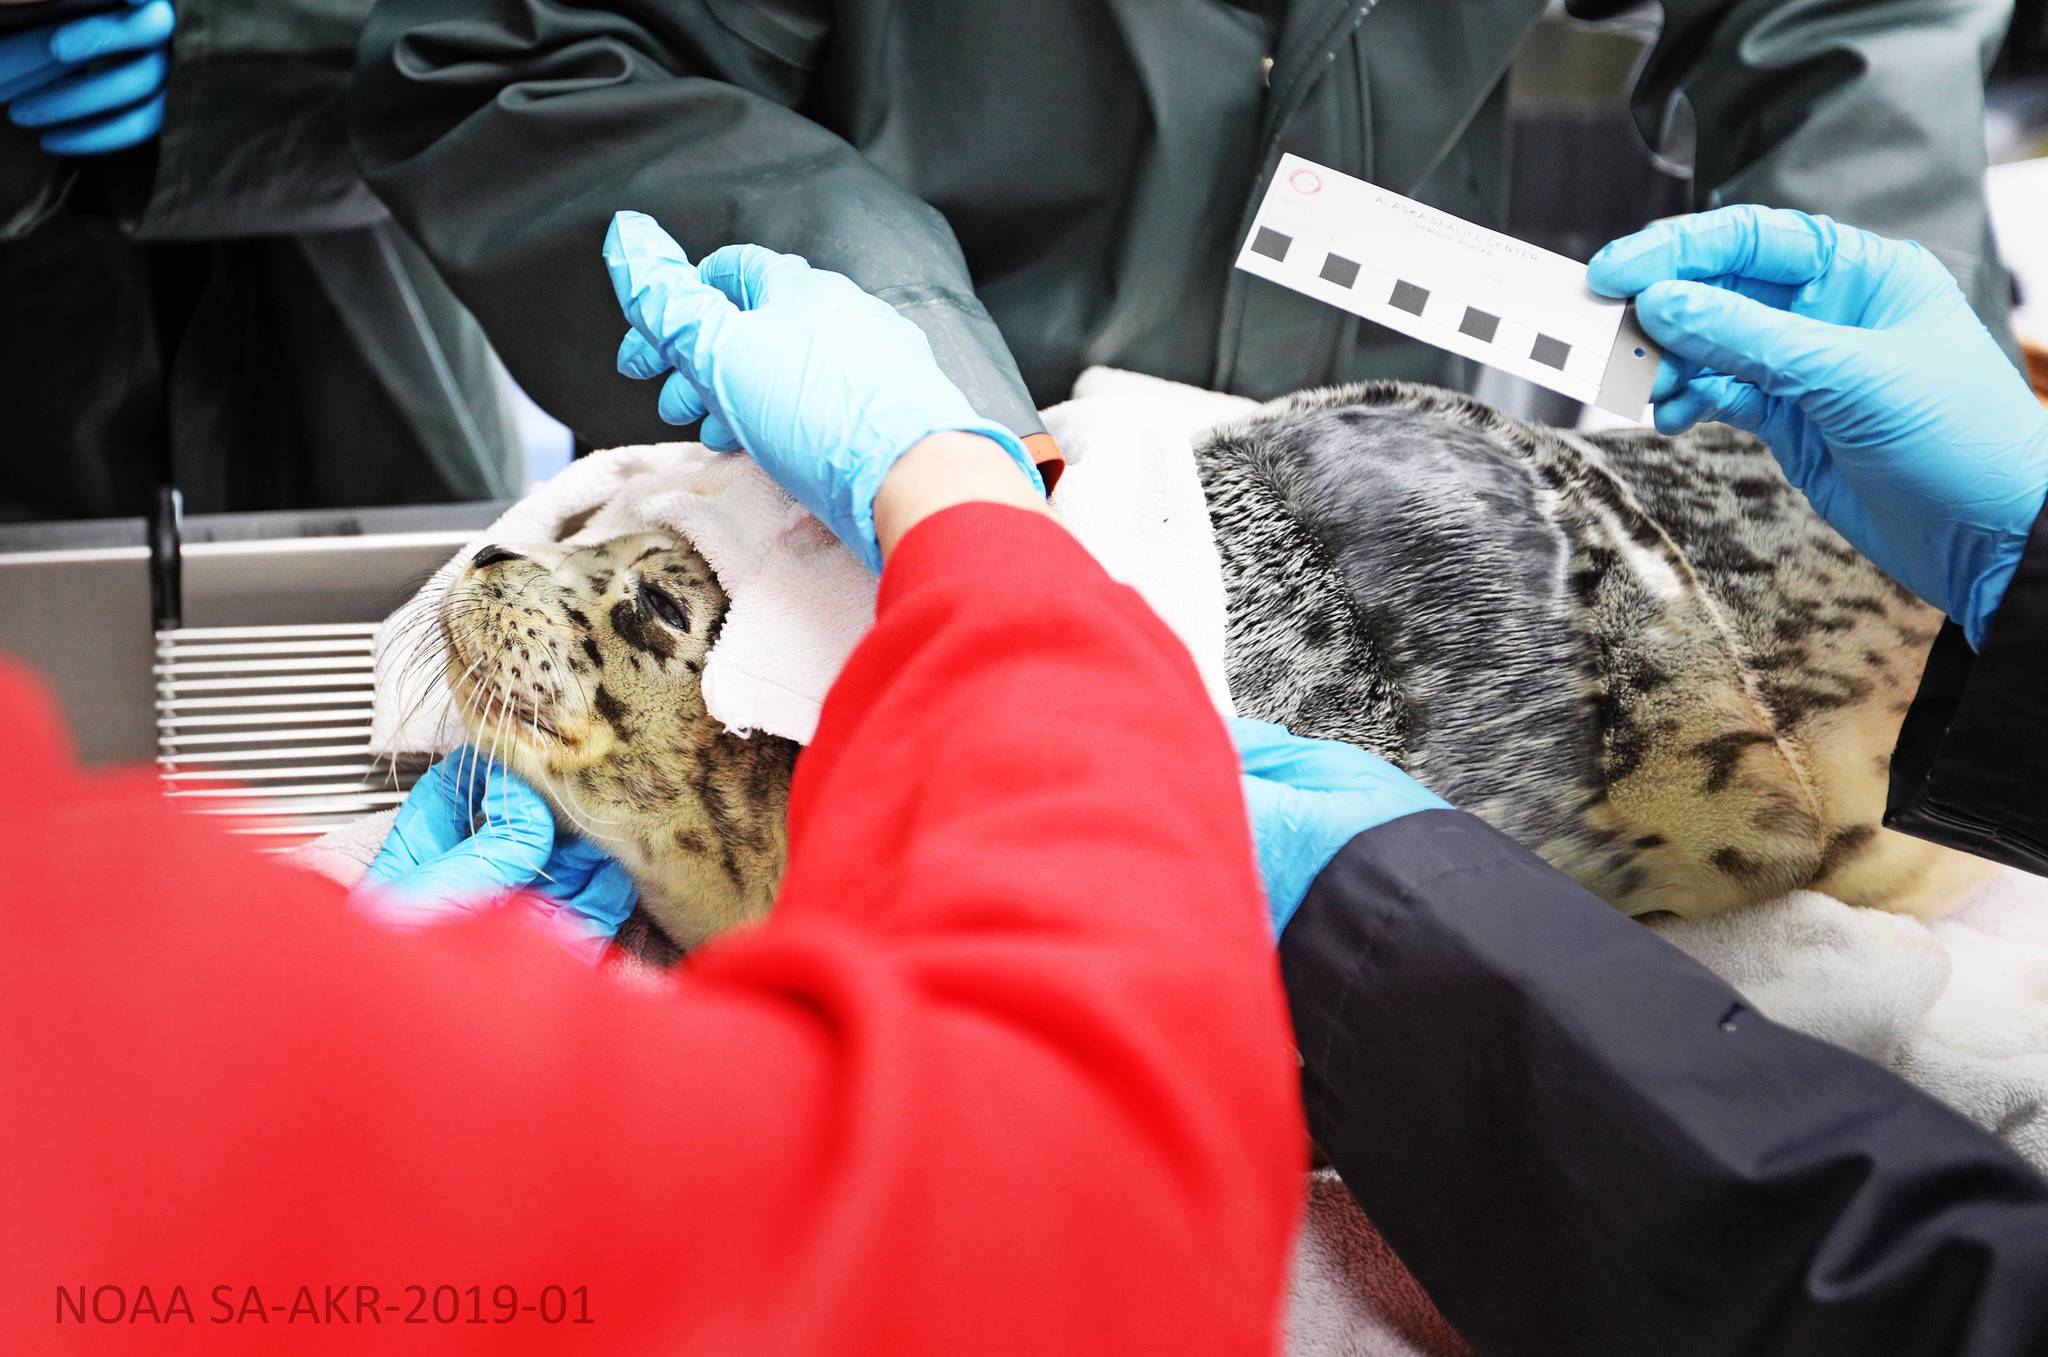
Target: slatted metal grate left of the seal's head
point(269, 728)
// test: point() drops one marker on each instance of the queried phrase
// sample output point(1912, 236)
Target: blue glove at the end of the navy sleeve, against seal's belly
point(1312, 797)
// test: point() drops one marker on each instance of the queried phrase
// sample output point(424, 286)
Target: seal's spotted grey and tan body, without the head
point(1646, 658)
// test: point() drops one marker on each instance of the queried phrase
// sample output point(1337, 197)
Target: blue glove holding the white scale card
point(1865, 369)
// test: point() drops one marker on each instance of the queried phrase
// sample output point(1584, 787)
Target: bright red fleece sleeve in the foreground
point(1007, 1074)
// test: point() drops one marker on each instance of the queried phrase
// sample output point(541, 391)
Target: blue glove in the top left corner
point(91, 85)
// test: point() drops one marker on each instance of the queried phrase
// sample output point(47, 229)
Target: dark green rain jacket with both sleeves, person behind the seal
point(1056, 183)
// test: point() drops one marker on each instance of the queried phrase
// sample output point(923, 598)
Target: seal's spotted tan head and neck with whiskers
point(581, 668)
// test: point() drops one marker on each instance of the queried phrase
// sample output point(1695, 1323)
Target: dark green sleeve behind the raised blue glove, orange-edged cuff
point(505, 134)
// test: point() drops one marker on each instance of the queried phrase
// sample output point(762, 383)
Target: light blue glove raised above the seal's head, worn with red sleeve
point(820, 382)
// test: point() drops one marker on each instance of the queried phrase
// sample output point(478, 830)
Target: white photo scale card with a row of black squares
point(1449, 283)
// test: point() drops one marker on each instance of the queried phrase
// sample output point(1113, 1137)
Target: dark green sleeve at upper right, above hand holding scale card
point(1871, 114)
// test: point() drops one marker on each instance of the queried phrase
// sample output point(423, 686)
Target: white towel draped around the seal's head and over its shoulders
point(800, 601)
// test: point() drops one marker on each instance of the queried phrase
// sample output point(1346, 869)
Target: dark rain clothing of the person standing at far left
point(232, 308)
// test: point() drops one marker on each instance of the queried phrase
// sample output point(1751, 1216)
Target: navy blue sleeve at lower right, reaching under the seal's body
point(1582, 1141)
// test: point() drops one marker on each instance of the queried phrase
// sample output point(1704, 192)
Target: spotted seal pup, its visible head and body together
point(1644, 658)
